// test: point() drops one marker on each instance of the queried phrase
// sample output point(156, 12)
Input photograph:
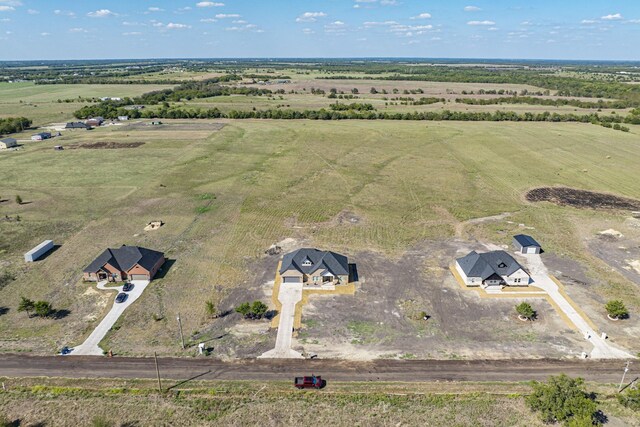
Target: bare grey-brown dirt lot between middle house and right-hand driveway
point(382, 319)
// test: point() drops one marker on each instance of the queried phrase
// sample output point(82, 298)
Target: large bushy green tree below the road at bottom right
point(563, 399)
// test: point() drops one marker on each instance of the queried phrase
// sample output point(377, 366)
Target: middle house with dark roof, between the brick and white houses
point(314, 267)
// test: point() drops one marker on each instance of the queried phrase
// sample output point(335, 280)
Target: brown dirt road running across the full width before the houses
point(606, 371)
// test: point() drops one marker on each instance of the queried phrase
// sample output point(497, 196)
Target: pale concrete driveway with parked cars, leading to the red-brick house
point(90, 346)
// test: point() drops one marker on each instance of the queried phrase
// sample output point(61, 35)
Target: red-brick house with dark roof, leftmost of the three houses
point(124, 263)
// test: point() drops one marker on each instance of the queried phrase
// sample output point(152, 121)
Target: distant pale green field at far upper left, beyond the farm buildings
point(40, 102)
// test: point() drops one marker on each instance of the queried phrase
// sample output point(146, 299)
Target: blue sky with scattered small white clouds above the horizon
point(545, 29)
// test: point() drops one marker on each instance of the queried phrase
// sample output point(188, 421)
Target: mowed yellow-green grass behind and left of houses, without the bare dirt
point(406, 181)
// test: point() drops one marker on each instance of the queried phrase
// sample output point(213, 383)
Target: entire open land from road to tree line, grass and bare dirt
point(227, 190)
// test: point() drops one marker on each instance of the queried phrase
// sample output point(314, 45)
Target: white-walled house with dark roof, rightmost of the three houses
point(491, 269)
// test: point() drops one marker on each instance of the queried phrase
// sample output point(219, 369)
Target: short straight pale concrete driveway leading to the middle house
point(290, 294)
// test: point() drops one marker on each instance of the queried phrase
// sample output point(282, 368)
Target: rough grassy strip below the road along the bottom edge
point(236, 403)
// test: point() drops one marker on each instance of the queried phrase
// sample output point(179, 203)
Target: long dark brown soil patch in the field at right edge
point(581, 198)
